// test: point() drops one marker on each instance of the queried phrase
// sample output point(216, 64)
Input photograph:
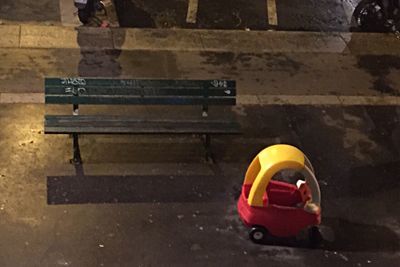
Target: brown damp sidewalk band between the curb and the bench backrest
point(256, 73)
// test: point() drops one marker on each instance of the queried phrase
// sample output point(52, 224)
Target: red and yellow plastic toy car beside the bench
point(279, 208)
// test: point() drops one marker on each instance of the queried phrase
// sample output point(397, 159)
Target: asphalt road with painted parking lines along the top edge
point(290, 15)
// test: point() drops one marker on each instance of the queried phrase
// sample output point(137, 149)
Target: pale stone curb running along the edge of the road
point(62, 37)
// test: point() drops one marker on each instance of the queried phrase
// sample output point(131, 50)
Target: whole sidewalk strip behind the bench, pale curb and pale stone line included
point(269, 67)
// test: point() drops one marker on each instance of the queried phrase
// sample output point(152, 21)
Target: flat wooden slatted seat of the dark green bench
point(85, 124)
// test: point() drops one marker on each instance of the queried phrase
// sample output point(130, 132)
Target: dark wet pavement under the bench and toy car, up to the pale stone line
point(154, 201)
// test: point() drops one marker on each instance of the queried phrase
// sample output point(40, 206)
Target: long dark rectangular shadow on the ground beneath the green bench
point(85, 189)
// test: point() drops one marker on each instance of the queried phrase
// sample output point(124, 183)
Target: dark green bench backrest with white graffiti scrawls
point(80, 91)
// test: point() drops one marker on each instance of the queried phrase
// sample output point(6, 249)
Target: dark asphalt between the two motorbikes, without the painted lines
point(309, 15)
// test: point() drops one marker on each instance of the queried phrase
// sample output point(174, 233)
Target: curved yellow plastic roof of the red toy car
point(266, 164)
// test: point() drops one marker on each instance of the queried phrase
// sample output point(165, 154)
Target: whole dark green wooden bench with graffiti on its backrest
point(100, 91)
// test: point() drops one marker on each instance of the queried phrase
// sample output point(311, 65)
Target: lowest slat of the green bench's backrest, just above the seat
point(114, 100)
